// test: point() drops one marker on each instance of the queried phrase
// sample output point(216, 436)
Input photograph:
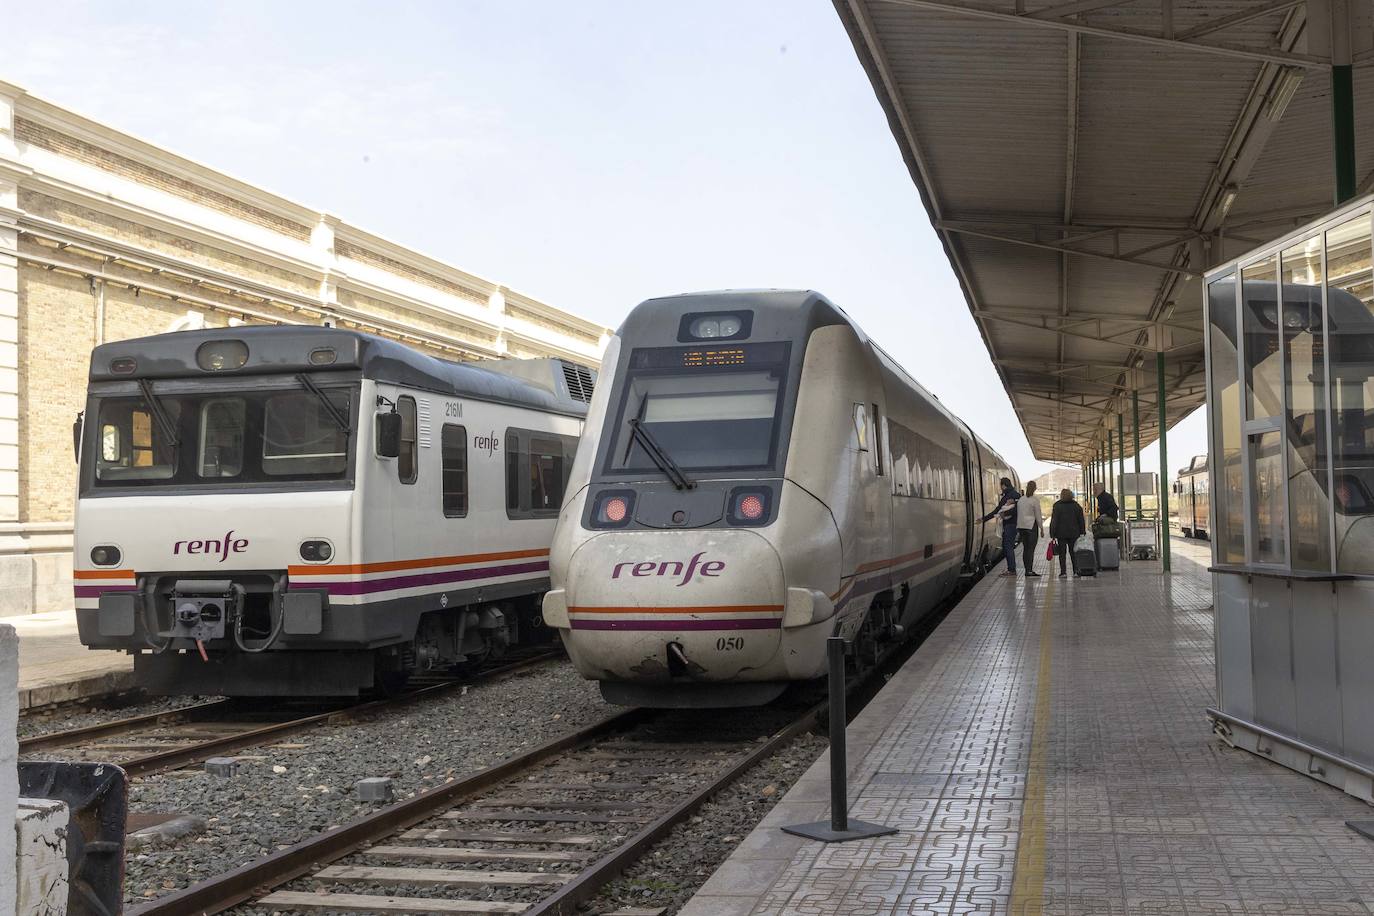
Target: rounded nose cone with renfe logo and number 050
point(657, 606)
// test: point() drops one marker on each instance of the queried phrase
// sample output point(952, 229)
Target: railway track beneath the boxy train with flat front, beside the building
point(161, 742)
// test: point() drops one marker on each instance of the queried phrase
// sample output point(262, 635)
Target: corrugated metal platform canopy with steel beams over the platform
point(1083, 163)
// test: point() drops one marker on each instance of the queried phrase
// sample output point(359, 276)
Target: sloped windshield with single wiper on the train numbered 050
point(703, 417)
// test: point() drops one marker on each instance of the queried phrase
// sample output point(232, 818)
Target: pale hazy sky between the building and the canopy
point(590, 154)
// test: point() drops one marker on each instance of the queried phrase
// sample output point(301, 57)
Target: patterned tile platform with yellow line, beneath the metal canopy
point(1046, 752)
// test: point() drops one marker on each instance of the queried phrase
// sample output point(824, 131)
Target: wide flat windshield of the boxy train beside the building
point(222, 437)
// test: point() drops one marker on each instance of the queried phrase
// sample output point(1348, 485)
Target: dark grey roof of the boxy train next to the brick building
point(288, 350)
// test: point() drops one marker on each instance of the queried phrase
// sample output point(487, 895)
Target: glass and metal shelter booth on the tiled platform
point(1291, 413)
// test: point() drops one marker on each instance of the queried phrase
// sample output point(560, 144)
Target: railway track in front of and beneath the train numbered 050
point(538, 834)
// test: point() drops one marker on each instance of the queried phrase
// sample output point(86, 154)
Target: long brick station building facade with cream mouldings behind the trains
point(105, 237)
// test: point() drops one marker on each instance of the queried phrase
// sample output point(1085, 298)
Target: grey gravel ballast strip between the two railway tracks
point(293, 790)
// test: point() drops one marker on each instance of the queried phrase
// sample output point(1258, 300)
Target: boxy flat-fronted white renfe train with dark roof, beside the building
point(314, 512)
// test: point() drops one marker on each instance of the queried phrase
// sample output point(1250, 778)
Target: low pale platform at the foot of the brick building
point(54, 665)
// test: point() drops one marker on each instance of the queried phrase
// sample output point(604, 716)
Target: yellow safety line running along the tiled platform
point(1028, 878)
